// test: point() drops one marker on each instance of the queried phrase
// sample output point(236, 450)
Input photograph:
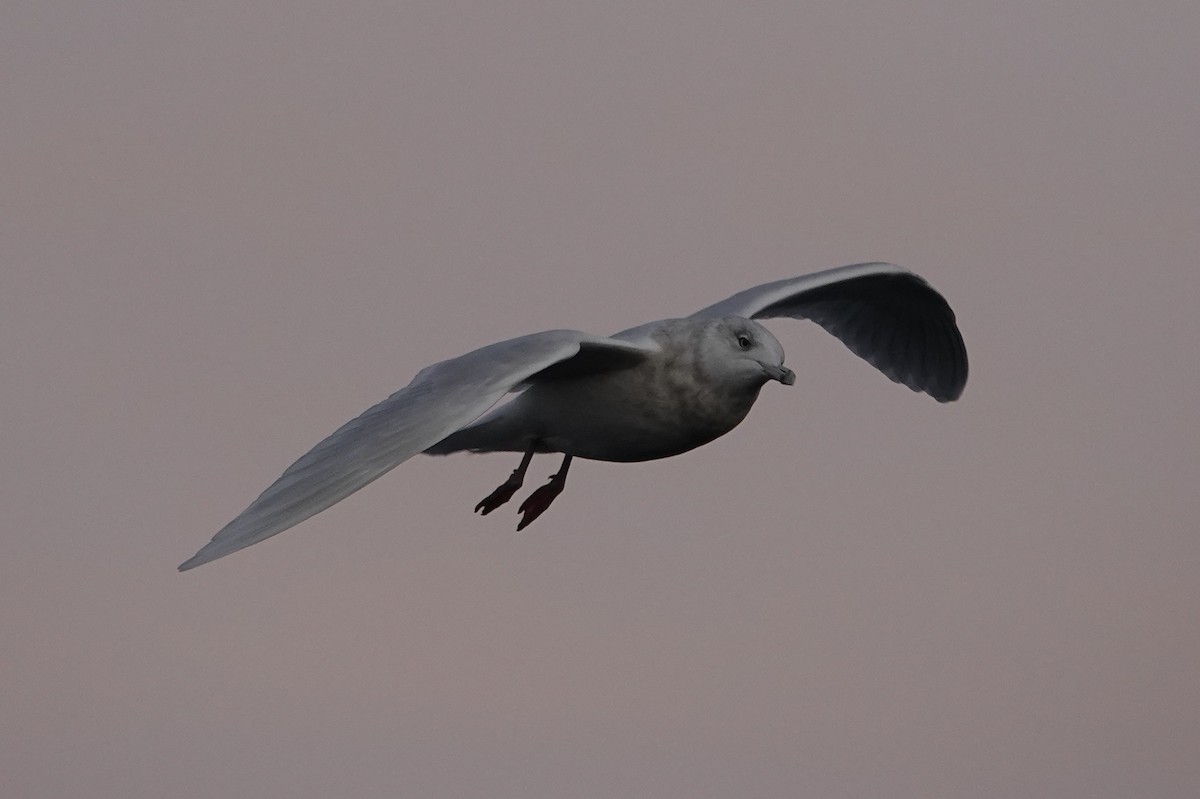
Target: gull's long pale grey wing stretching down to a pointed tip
point(440, 400)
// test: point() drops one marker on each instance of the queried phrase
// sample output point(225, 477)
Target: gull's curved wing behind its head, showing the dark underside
point(884, 314)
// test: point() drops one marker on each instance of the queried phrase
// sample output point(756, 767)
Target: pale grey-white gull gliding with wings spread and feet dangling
point(647, 393)
